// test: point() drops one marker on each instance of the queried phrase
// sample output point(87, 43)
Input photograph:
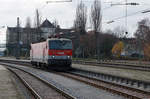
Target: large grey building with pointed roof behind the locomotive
point(32, 35)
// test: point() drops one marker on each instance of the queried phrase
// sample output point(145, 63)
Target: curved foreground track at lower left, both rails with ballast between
point(38, 86)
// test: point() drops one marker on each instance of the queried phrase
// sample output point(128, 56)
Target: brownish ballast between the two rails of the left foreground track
point(43, 90)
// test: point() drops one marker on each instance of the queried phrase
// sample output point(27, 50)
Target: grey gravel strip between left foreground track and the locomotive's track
point(76, 88)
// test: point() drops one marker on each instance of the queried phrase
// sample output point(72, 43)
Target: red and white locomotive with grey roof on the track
point(55, 53)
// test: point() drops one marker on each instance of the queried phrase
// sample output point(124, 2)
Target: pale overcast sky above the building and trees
point(65, 12)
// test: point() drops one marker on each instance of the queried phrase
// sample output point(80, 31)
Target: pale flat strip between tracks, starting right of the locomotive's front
point(133, 74)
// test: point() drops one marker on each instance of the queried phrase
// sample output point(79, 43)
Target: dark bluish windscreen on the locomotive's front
point(60, 44)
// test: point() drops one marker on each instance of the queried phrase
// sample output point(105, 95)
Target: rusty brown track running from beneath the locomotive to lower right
point(125, 91)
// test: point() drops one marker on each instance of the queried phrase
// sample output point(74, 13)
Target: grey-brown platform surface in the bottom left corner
point(7, 88)
